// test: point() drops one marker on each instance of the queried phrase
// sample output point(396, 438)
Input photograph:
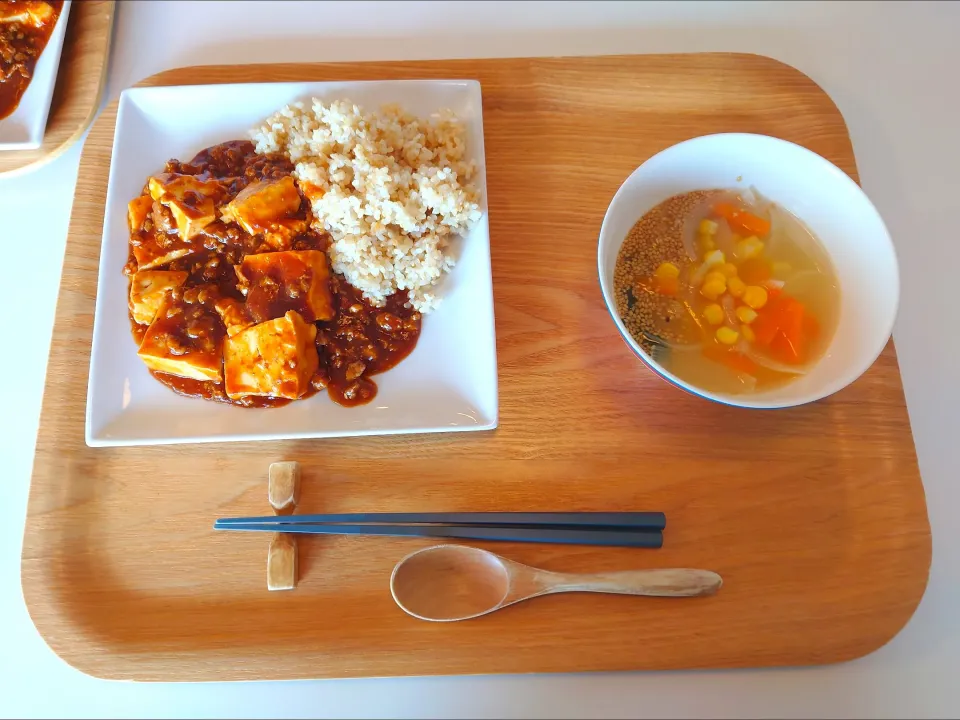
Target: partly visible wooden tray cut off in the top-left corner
point(80, 81)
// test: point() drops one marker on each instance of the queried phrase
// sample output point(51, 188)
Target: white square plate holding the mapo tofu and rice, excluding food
point(448, 383)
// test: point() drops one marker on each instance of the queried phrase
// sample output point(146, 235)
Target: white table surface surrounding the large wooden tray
point(892, 70)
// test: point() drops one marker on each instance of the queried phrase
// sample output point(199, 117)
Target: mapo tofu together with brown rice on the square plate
point(263, 274)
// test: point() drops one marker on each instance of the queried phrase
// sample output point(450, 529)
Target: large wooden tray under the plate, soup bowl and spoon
point(814, 516)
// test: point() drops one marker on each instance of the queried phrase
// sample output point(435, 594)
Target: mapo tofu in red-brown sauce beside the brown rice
point(231, 294)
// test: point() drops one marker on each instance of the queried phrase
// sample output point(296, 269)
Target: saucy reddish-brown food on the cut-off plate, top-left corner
point(25, 29)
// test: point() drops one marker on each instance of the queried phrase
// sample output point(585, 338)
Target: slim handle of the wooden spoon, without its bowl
point(680, 582)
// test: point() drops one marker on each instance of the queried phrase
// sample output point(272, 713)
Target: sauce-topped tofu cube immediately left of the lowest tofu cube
point(168, 345)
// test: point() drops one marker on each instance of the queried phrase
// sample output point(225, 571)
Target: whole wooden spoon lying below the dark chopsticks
point(444, 583)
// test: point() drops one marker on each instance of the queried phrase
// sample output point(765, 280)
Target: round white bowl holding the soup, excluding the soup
point(824, 197)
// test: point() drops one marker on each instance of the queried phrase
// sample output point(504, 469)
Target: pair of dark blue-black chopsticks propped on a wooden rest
point(623, 529)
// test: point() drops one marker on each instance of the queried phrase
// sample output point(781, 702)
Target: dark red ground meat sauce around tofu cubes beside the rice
point(359, 341)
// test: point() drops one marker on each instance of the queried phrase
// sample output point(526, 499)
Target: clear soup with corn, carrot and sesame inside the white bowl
point(727, 291)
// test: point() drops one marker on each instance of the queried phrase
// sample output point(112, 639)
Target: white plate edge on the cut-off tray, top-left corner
point(23, 129)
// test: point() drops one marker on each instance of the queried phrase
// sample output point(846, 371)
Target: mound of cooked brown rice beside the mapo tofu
point(390, 188)
